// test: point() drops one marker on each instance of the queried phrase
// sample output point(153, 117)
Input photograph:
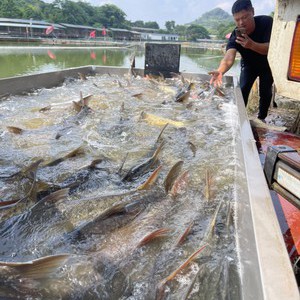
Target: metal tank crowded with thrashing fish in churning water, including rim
point(116, 185)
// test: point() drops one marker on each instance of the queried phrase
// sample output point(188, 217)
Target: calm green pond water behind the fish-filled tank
point(26, 60)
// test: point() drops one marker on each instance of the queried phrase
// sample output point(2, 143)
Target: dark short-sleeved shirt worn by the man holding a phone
point(261, 34)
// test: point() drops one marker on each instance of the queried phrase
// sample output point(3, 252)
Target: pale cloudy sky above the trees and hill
point(180, 11)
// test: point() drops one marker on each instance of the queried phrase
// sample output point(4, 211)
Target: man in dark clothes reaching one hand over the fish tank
point(251, 39)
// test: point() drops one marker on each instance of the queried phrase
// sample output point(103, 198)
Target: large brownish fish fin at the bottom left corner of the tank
point(39, 268)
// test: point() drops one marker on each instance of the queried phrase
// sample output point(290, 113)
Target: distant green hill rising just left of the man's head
point(213, 19)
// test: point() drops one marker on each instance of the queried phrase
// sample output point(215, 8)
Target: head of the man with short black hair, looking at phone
point(243, 15)
